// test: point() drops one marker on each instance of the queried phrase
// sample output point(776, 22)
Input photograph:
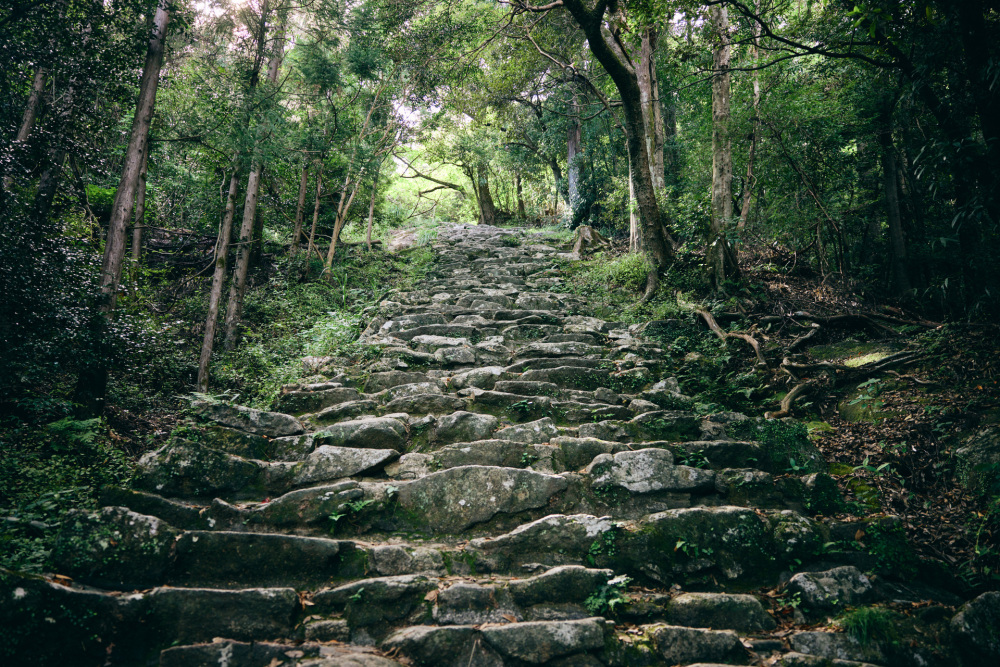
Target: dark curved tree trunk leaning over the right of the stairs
point(657, 244)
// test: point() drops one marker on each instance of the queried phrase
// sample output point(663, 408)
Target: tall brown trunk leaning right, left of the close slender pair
point(121, 210)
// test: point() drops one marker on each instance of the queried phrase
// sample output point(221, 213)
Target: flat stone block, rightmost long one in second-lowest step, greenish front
point(720, 611)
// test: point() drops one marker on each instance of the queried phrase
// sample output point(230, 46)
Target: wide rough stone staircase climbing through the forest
point(509, 481)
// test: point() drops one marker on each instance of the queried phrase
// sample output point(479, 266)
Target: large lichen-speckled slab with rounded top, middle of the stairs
point(452, 500)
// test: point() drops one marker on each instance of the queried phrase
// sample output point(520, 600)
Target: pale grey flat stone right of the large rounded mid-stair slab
point(648, 470)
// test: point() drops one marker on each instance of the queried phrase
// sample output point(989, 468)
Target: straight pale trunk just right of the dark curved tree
point(718, 254)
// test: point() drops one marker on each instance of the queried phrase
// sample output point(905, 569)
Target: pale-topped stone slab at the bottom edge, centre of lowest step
point(540, 641)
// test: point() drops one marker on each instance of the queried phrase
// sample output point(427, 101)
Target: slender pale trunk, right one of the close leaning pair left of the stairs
point(237, 287)
